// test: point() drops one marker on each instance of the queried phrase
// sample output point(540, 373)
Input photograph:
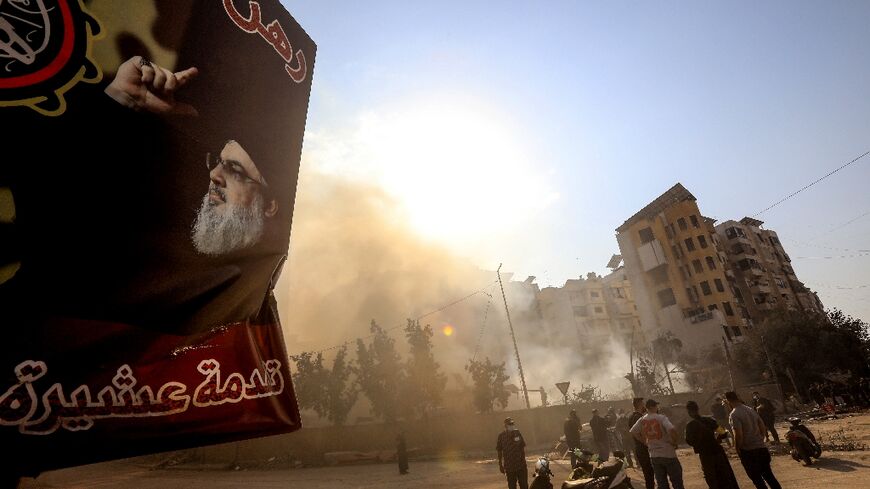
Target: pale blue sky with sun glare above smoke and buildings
point(524, 133)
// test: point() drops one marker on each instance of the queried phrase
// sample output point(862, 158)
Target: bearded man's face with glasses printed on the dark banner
point(236, 207)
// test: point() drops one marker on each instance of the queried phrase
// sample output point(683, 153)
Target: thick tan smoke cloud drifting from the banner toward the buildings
point(353, 259)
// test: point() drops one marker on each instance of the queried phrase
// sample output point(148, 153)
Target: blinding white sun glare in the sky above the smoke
point(458, 172)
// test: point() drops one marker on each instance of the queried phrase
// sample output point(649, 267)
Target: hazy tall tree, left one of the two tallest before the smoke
point(380, 375)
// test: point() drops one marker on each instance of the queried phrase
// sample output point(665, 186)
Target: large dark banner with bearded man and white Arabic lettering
point(147, 181)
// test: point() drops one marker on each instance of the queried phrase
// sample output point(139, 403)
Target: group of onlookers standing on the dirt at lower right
point(649, 439)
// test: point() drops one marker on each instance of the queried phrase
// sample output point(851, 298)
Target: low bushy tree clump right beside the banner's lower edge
point(326, 391)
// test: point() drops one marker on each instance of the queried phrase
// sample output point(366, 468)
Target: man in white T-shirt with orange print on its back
point(660, 436)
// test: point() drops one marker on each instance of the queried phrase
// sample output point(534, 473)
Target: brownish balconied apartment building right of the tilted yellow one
point(763, 275)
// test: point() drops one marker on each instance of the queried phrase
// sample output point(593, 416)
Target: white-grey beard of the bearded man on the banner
point(239, 227)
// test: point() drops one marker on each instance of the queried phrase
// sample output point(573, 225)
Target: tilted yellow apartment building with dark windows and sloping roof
point(678, 272)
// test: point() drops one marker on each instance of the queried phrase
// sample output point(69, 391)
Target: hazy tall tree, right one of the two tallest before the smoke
point(425, 383)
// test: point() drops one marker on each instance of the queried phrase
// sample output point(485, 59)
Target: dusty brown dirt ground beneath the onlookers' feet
point(840, 469)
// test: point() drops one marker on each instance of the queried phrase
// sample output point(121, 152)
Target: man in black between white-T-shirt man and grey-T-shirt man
point(701, 435)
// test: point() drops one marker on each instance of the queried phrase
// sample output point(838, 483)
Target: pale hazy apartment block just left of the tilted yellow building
point(590, 312)
